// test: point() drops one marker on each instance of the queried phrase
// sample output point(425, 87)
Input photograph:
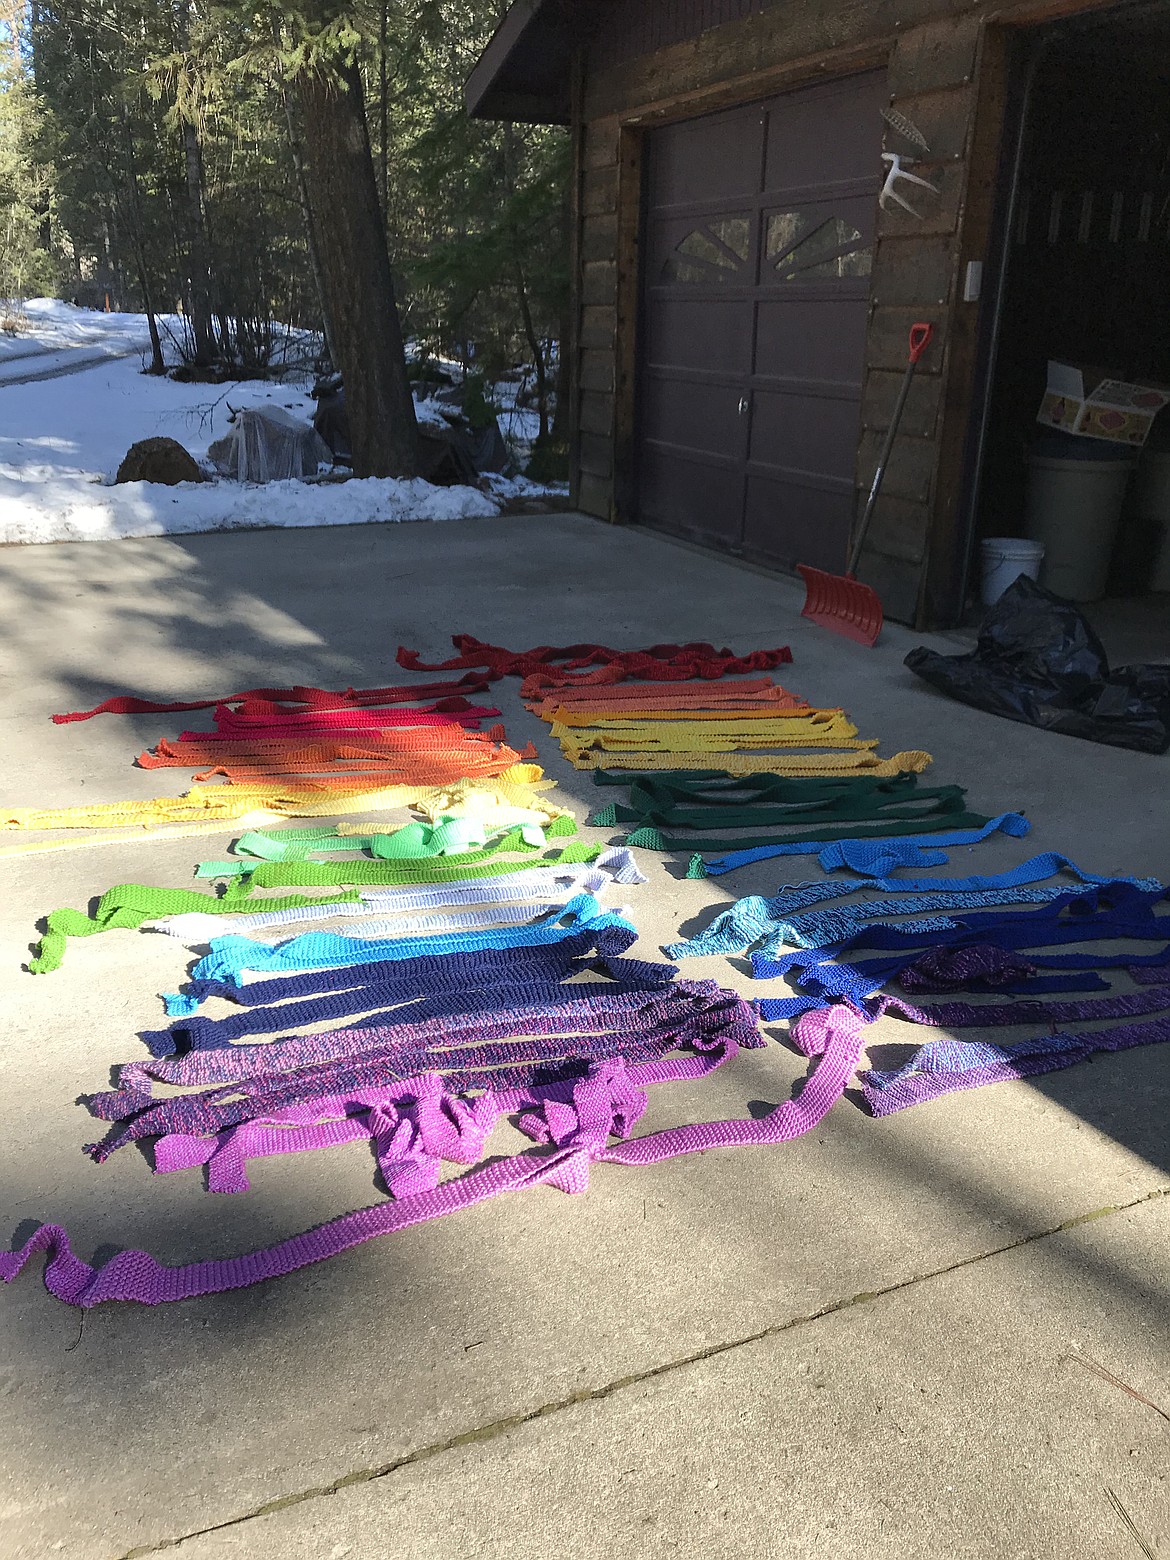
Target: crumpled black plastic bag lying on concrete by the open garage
point(1040, 662)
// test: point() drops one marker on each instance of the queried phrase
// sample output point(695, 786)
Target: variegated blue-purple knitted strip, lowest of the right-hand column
point(915, 1083)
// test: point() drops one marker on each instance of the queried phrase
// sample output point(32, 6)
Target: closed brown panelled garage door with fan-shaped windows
point(759, 250)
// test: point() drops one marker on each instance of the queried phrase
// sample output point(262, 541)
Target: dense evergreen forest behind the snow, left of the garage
point(263, 169)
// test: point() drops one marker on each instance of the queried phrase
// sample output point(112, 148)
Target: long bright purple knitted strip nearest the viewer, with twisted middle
point(578, 1136)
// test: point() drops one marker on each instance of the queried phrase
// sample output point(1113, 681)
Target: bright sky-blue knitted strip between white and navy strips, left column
point(230, 957)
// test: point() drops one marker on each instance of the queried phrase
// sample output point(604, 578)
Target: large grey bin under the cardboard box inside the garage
point(1076, 508)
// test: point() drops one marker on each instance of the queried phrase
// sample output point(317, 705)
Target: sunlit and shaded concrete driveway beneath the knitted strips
point(853, 1345)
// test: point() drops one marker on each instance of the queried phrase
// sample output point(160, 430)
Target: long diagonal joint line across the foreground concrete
point(505, 1427)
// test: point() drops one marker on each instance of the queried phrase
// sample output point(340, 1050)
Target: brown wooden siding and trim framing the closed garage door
point(934, 52)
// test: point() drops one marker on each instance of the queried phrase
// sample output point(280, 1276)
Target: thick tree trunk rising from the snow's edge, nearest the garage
point(367, 333)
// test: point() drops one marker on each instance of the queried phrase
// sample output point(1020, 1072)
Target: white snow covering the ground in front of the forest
point(63, 438)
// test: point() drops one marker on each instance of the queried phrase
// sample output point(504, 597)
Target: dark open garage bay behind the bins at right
point(1087, 243)
